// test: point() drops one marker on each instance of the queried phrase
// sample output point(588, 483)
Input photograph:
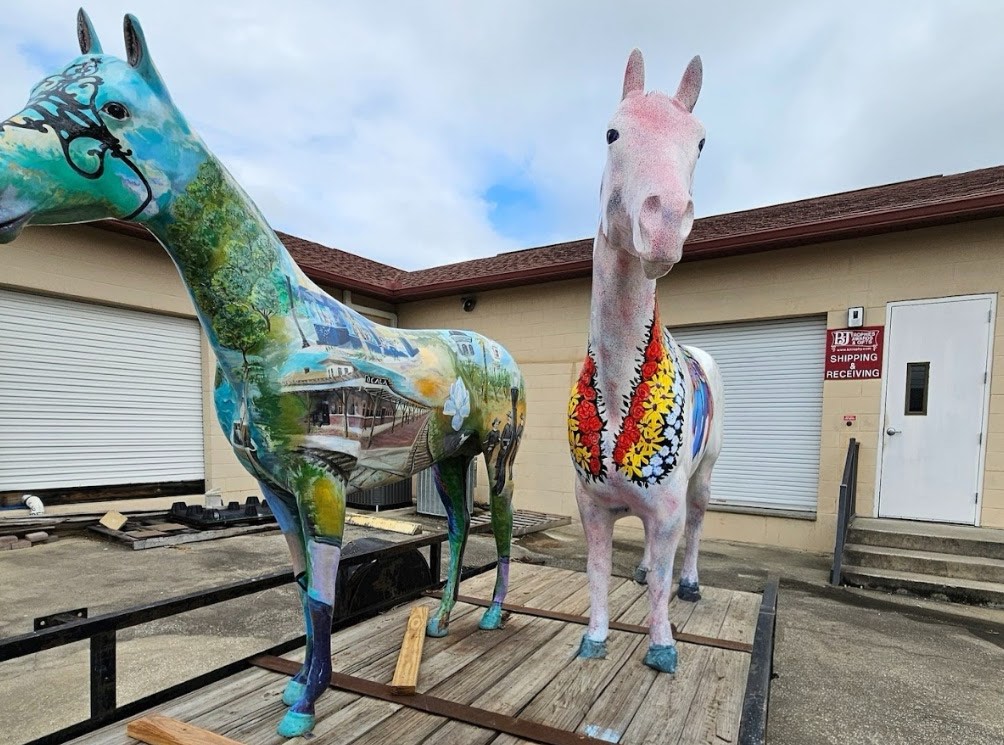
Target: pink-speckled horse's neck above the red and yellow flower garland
point(623, 309)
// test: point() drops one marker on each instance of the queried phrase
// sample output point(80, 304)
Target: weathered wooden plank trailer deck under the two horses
point(529, 670)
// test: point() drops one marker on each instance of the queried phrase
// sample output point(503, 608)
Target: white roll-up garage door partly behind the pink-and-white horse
point(774, 374)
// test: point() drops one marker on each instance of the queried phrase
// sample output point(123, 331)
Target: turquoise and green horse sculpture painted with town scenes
point(317, 400)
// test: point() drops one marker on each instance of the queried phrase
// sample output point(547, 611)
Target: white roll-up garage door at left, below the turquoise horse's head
point(97, 396)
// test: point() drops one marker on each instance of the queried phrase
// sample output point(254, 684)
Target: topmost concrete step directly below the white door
point(959, 541)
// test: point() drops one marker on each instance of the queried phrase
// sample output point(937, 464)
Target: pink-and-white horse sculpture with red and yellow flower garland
point(645, 420)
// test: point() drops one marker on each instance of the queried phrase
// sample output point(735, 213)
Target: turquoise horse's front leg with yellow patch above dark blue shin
point(321, 498)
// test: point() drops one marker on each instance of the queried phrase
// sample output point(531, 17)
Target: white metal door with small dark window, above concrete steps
point(935, 410)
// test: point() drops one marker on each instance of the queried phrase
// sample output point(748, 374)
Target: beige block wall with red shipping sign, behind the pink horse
point(546, 328)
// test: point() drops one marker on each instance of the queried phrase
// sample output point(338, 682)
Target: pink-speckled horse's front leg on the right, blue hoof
point(663, 529)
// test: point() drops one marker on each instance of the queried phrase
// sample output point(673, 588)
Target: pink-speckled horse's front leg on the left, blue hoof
point(598, 523)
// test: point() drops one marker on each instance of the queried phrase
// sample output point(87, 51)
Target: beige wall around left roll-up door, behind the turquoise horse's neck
point(93, 266)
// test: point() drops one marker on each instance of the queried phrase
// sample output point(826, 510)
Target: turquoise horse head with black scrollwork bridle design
point(93, 141)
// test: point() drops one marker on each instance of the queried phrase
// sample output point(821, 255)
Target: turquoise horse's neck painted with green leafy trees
point(240, 277)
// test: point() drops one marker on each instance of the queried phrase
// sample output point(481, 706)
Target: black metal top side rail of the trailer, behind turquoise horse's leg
point(28, 644)
